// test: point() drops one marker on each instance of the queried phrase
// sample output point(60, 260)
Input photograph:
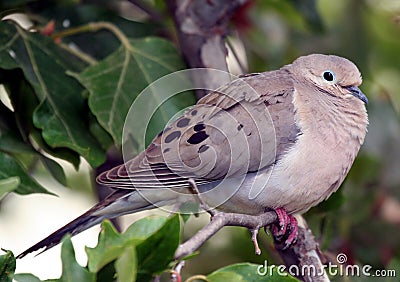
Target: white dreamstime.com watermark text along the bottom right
point(332, 269)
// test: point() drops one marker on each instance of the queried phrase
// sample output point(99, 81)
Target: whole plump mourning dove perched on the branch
point(281, 140)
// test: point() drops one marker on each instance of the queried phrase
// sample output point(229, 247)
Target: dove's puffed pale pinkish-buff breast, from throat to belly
point(332, 132)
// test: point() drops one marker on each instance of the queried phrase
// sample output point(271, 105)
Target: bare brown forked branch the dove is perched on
point(304, 253)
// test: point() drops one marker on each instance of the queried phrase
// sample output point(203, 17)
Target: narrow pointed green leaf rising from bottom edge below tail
point(71, 270)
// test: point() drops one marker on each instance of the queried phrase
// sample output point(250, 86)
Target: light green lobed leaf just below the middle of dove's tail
point(110, 246)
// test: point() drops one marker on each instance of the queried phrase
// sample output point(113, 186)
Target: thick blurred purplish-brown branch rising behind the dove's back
point(202, 26)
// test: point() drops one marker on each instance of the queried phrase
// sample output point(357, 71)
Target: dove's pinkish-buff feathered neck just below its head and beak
point(336, 122)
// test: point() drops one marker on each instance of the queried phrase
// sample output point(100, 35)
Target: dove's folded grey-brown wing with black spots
point(241, 127)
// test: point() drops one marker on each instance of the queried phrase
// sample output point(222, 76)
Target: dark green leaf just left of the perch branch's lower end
point(156, 252)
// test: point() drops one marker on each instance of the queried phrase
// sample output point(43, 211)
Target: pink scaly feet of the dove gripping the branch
point(287, 226)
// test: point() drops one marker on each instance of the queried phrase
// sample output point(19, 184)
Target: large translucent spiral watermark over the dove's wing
point(210, 141)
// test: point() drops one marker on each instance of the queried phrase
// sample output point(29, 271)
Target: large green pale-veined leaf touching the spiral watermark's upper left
point(116, 81)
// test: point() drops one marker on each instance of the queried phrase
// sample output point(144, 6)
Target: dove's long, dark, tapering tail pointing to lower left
point(118, 203)
